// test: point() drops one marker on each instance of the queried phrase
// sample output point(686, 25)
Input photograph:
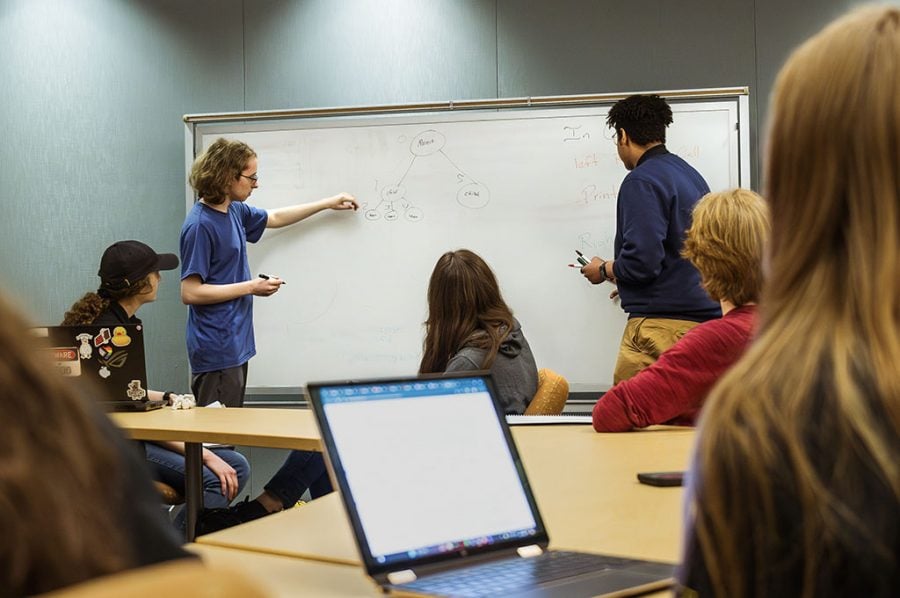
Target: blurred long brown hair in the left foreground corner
point(55, 468)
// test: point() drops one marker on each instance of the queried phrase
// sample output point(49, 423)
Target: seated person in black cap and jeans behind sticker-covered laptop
point(129, 278)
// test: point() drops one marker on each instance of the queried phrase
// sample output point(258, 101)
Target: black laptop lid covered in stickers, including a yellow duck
point(108, 358)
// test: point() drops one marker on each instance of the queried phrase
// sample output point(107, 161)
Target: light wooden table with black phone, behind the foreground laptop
point(585, 487)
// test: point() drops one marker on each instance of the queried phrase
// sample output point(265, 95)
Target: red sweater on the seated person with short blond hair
point(672, 390)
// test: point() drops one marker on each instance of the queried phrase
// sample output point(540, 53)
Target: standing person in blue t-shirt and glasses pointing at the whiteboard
point(216, 283)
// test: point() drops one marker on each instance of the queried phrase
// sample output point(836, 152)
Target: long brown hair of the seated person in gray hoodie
point(465, 308)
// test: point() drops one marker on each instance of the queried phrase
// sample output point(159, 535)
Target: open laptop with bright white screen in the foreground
point(437, 496)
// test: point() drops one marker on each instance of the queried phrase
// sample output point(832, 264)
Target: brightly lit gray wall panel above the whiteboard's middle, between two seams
point(326, 53)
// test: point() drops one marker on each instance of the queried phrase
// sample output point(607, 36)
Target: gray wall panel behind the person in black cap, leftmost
point(92, 99)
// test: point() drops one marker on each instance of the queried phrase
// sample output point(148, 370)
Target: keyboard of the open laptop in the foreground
point(505, 577)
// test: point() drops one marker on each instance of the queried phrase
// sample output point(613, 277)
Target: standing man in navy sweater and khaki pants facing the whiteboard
point(659, 289)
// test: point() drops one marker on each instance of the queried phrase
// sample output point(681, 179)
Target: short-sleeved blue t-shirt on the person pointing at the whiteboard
point(214, 247)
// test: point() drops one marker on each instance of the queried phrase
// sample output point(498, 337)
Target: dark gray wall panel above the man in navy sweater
point(585, 46)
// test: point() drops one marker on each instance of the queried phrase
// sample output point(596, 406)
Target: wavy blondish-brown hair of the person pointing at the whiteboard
point(213, 172)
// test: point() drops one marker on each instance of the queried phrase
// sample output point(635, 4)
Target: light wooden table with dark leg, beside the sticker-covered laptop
point(275, 428)
